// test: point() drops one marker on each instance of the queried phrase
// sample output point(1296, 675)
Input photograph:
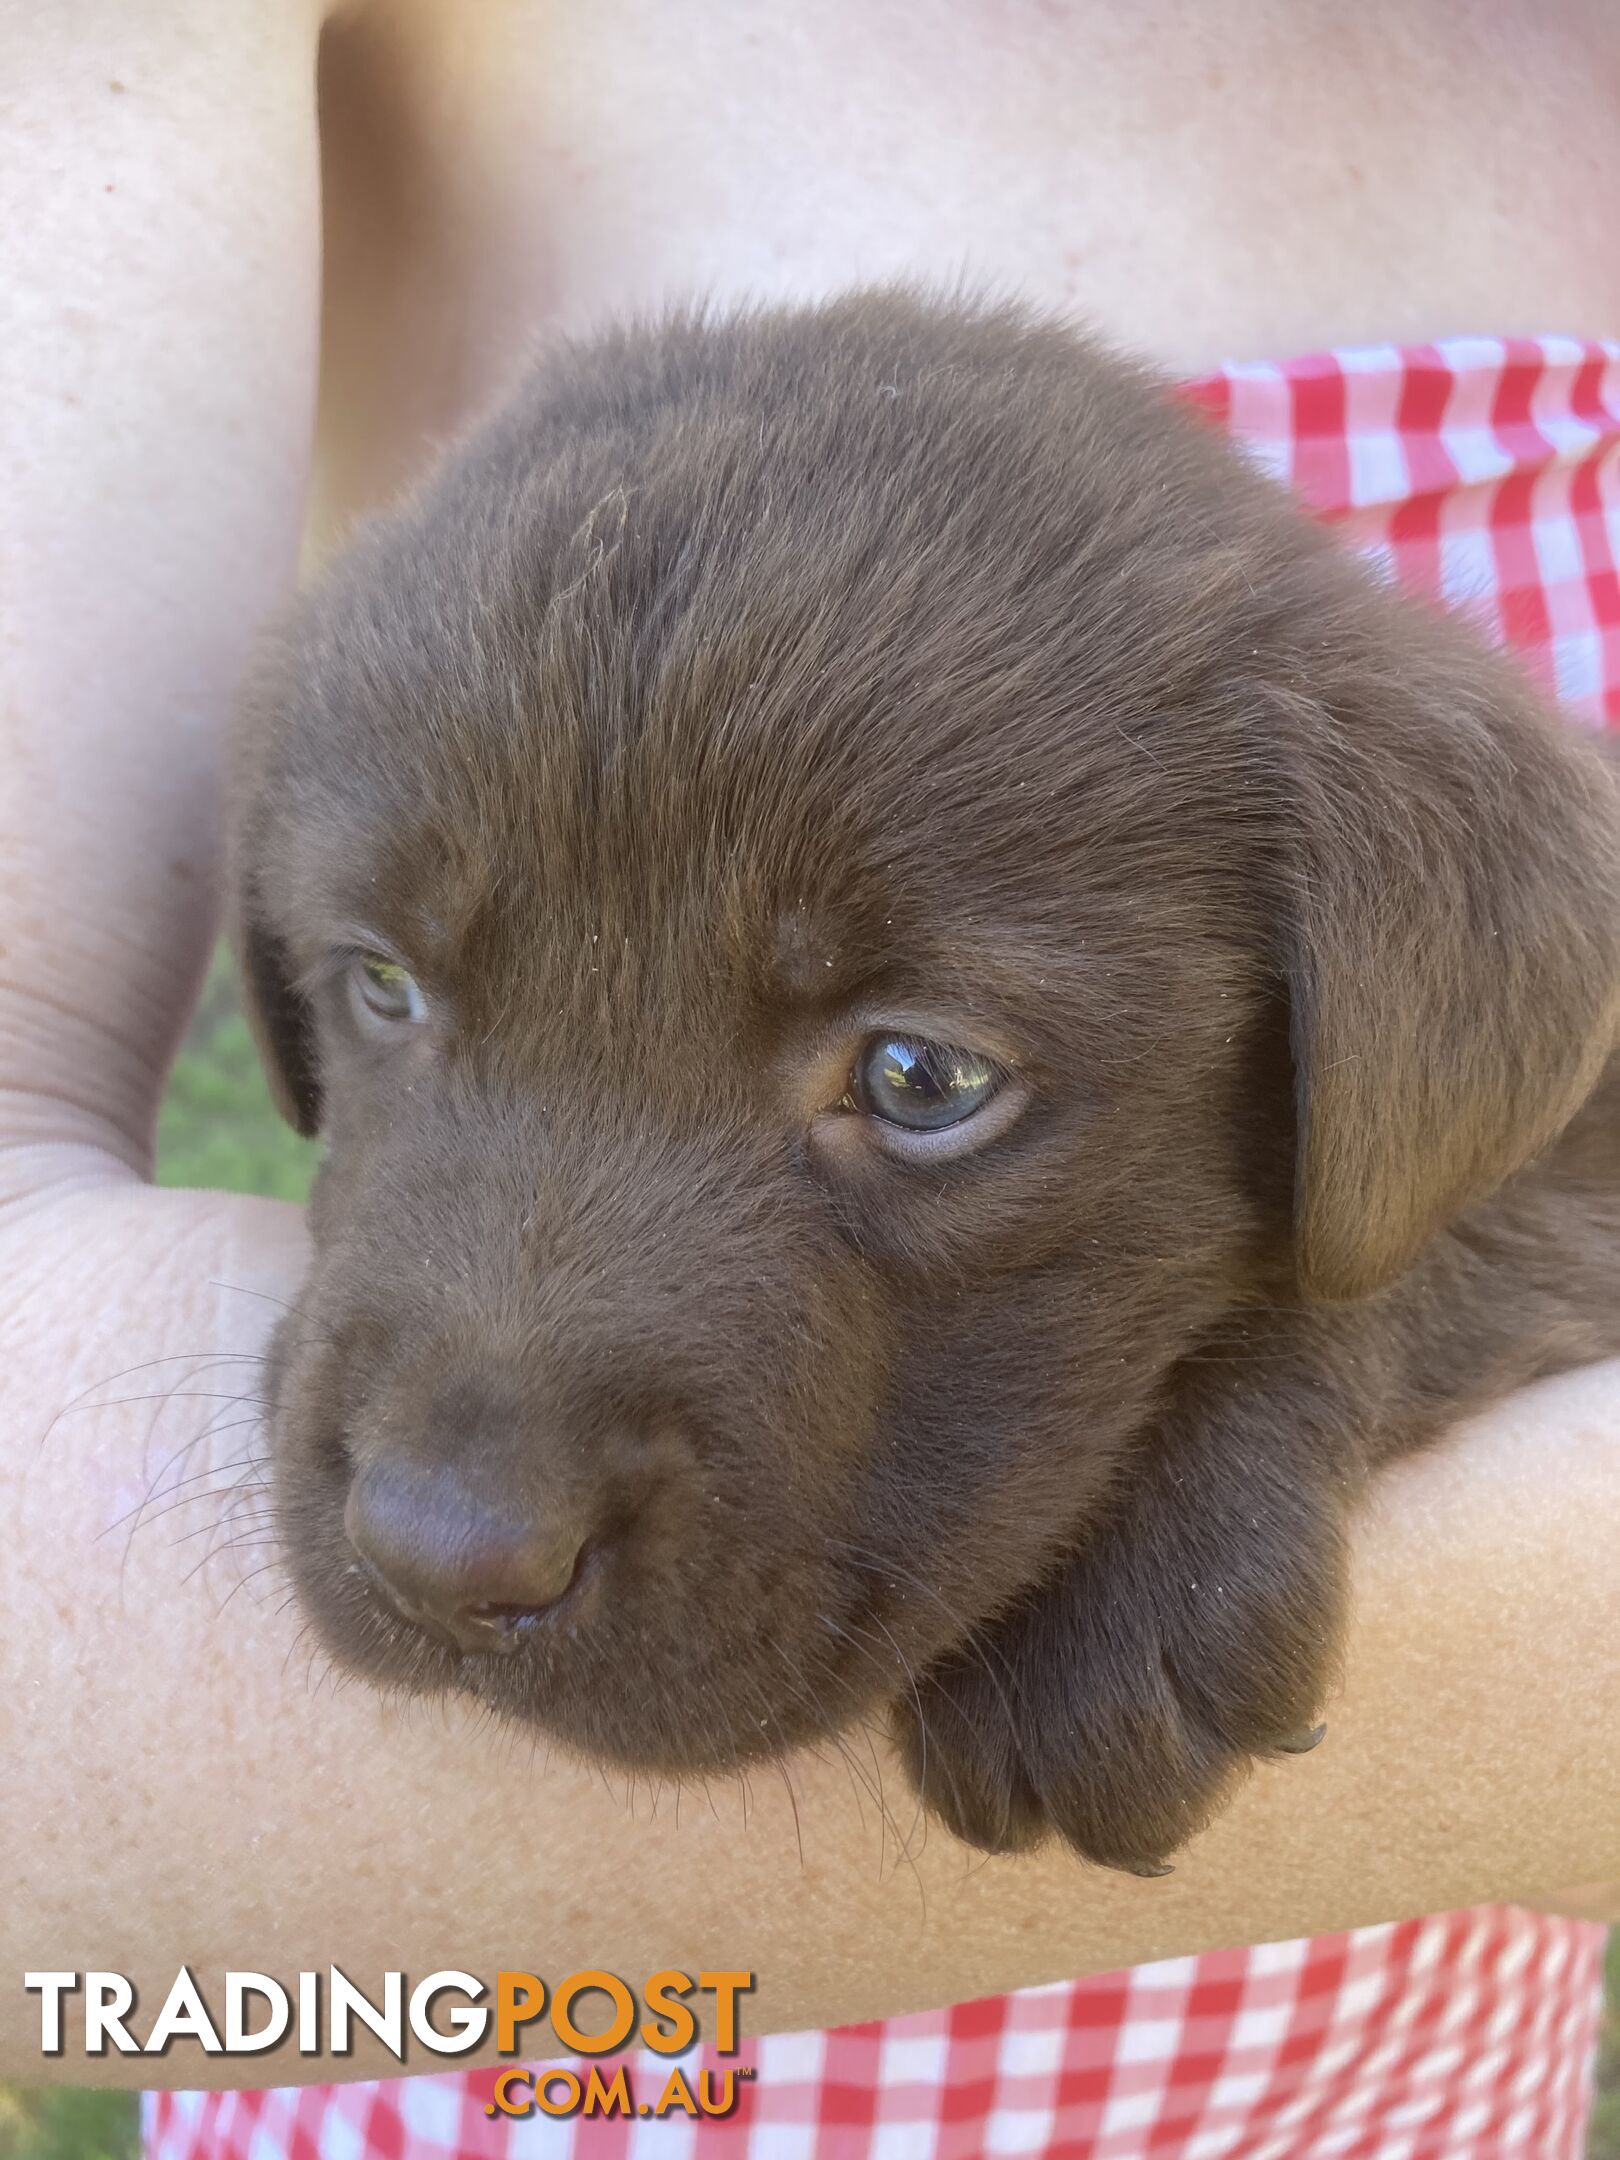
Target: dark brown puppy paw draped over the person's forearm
point(1118, 1707)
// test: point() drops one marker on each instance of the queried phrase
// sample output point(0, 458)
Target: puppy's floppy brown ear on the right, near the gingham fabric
point(1453, 943)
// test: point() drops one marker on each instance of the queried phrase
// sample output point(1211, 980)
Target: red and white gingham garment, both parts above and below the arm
point(1487, 472)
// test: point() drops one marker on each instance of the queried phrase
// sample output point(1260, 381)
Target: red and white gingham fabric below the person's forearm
point(1459, 2038)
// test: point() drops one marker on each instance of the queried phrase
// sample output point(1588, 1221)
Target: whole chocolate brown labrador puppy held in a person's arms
point(936, 1027)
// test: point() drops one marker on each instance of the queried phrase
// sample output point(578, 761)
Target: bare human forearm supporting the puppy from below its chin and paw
point(187, 1787)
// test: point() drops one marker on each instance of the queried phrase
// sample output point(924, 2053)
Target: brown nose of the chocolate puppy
point(457, 1563)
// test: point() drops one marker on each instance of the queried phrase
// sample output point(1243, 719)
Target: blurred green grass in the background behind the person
point(219, 1129)
